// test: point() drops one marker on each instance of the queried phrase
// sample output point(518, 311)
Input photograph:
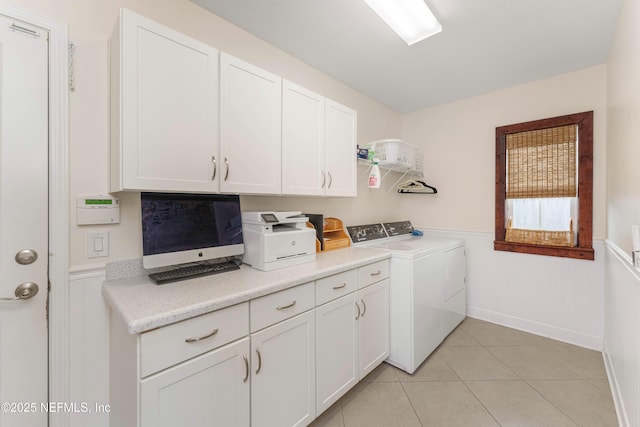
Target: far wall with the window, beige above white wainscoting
point(556, 297)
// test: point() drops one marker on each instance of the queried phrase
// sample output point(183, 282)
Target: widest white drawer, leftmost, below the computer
point(180, 341)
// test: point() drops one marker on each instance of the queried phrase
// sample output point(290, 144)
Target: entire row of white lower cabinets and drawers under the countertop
point(277, 361)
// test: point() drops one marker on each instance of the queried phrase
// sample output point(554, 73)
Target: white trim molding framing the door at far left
point(58, 205)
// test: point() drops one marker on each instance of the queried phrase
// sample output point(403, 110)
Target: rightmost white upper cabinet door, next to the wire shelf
point(340, 150)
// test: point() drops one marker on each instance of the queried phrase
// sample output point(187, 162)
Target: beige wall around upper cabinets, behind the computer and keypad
point(90, 25)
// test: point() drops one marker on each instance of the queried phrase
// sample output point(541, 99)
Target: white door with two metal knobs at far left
point(23, 223)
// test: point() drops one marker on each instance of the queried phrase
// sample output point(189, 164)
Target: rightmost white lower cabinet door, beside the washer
point(373, 326)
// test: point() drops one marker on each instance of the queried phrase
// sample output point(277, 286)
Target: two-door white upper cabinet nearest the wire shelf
point(318, 144)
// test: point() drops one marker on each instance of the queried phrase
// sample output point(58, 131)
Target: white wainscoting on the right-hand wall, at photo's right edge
point(622, 334)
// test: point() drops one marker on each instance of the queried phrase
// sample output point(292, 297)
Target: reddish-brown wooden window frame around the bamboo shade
point(584, 248)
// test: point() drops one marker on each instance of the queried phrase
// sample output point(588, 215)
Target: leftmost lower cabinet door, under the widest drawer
point(209, 390)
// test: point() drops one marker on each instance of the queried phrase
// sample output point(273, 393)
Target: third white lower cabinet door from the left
point(336, 349)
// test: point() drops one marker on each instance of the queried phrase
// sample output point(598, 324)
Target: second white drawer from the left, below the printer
point(271, 309)
